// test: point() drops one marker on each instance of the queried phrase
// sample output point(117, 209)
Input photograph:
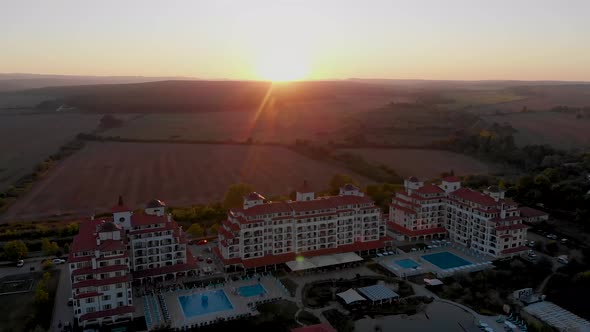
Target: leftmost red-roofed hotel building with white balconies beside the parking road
point(108, 254)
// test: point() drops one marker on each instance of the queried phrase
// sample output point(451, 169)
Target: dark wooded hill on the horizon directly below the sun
point(203, 96)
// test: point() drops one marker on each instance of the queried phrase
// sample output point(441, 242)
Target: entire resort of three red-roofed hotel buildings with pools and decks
point(139, 264)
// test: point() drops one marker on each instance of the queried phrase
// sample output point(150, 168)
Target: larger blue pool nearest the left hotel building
point(195, 305)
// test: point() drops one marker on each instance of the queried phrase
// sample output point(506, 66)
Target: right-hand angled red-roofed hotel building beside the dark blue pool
point(486, 223)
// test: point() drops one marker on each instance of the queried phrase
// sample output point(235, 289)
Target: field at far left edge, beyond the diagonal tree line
point(26, 140)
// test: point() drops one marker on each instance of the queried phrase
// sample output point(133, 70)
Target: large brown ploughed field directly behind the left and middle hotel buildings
point(180, 174)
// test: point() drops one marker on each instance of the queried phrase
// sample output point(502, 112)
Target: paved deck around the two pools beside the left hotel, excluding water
point(242, 306)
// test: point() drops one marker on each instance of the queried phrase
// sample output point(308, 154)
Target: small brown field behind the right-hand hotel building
point(422, 163)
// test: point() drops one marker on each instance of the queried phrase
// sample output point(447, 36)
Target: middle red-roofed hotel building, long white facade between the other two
point(262, 234)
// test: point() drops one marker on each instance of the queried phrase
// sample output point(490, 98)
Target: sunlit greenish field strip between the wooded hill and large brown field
point(319, 120)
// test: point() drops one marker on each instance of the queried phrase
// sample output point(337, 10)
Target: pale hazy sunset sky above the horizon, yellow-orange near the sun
point(299, 39)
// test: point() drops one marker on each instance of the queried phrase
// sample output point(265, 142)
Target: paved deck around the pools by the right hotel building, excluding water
point(478, 263)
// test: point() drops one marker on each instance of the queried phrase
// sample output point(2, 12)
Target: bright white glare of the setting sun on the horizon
point(282, 66)
